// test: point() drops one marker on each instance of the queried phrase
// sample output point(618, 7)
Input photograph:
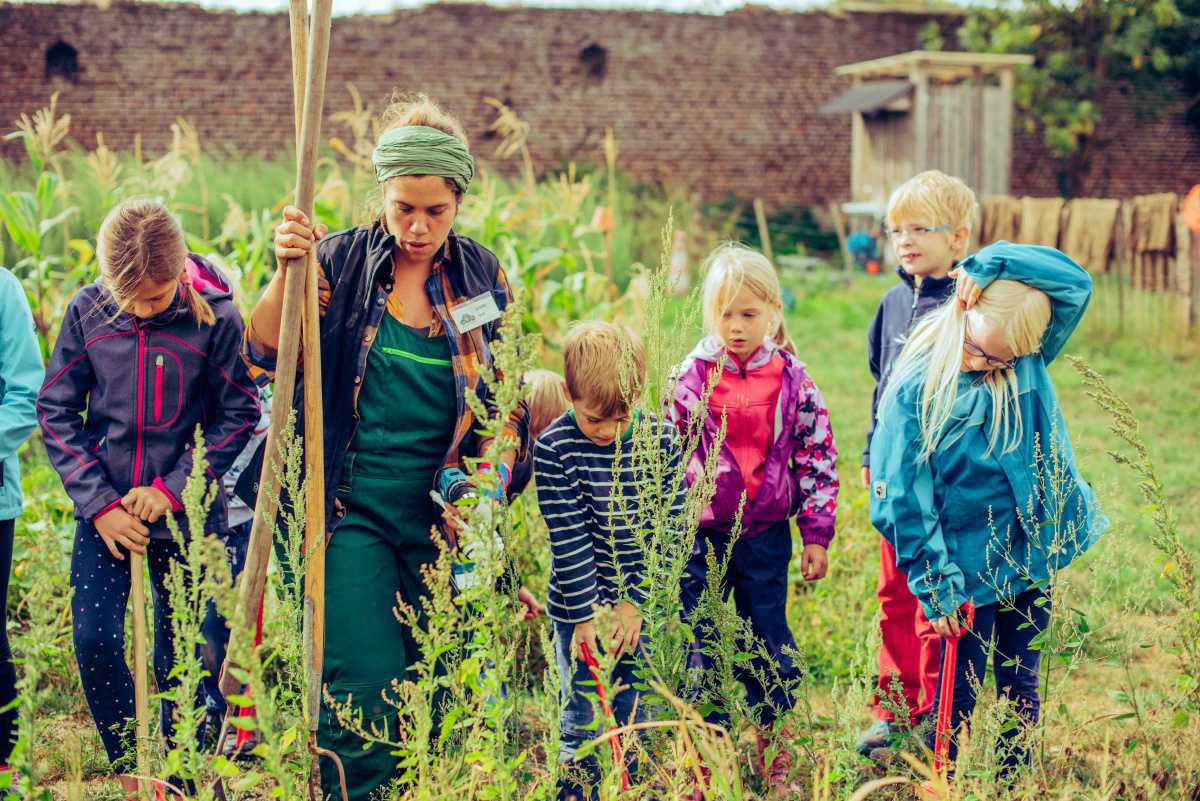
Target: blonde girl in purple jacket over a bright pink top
point(778, 455)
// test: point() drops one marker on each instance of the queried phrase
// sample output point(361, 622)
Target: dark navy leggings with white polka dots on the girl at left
point(101, 587)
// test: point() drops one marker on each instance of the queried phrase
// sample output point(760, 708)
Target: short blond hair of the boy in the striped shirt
point(605, 365)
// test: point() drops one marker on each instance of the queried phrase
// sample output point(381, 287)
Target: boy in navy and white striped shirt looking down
point(592, 491)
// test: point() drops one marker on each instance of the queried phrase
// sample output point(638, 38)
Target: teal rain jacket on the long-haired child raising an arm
point(987, 528)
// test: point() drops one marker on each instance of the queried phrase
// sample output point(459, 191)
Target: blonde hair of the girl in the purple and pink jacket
point(731, 268)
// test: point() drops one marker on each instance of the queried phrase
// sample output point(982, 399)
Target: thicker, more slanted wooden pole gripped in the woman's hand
point(254, 577)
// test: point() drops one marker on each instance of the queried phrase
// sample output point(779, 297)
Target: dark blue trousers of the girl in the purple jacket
point(758, 580)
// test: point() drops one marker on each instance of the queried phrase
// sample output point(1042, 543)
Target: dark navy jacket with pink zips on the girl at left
point(146, 386)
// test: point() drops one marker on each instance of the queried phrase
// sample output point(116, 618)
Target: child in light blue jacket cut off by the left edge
point(21, 375)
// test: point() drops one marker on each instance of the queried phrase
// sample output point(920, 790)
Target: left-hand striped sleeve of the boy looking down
point(573, 558)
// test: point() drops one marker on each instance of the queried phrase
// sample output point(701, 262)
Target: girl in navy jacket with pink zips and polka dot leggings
point(149, 352)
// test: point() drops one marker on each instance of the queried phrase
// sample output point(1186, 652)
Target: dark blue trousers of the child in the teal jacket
point(1006, 627)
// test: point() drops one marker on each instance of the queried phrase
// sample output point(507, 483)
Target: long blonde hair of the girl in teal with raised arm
point(933, 356)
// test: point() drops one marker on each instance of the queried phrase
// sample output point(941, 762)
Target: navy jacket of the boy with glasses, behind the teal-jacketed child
point(901, 309)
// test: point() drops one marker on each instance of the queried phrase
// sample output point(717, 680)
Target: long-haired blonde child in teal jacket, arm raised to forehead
point(974, 477)
